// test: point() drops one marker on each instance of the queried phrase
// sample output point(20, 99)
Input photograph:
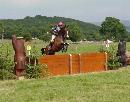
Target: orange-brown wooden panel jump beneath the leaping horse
point(75, 63)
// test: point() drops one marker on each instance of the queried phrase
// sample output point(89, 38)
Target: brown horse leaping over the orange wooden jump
point(58, 43)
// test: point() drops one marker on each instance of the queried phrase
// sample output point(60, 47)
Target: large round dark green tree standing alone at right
point(113, 28)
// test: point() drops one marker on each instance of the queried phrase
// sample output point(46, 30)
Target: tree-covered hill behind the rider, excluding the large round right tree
point(38, 26)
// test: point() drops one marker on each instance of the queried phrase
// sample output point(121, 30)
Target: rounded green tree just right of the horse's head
point(74, 32)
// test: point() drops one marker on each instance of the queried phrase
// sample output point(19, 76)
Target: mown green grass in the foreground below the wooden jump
point(111, 86)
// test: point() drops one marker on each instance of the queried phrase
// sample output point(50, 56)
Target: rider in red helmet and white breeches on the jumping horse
point(55, 31)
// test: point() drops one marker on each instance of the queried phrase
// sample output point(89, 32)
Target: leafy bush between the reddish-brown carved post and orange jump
point(33, 68)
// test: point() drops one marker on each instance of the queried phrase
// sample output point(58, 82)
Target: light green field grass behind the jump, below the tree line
point(73, 48)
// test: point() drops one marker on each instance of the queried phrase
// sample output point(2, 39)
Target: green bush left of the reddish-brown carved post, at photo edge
point(6, 64)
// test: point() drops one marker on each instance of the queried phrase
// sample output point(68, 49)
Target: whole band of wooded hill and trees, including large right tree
point(40, 26)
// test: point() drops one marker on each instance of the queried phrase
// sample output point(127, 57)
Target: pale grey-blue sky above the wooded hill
point(84, 10)
